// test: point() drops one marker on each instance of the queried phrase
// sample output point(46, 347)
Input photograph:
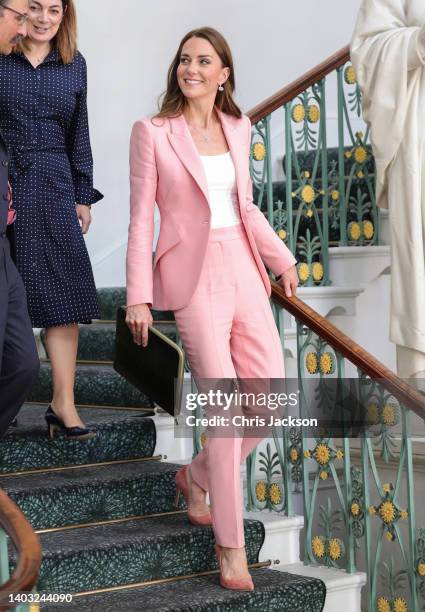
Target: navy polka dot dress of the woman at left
point(43, 120)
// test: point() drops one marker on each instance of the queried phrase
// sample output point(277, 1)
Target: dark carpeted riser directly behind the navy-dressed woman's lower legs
point(95, 384)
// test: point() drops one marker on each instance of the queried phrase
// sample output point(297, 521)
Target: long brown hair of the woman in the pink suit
point(172, 101)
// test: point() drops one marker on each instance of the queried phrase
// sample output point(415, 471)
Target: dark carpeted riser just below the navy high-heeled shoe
point(114, 441)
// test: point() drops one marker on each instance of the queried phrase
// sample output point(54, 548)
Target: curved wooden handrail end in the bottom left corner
point(27, 544)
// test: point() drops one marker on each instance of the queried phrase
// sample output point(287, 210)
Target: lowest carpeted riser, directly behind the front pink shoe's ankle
point(131, 562)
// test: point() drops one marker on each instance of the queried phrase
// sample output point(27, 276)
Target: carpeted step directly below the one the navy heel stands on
point(84, 495)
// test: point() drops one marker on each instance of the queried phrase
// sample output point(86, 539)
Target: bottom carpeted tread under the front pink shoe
point(274, 592)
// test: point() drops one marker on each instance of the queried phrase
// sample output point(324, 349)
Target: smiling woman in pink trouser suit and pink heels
point(192, 159)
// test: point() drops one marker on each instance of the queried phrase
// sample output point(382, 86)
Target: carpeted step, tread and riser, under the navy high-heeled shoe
point(120, 435)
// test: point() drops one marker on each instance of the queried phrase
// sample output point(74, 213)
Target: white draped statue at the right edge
point(388, 54)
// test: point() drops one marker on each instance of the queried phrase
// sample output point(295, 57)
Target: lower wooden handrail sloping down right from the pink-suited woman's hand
point(404, 392)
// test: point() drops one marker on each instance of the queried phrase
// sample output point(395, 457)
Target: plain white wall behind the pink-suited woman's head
point(129, 45)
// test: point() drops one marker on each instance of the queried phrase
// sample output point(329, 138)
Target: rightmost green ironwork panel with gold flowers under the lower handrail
point(387, 466)
